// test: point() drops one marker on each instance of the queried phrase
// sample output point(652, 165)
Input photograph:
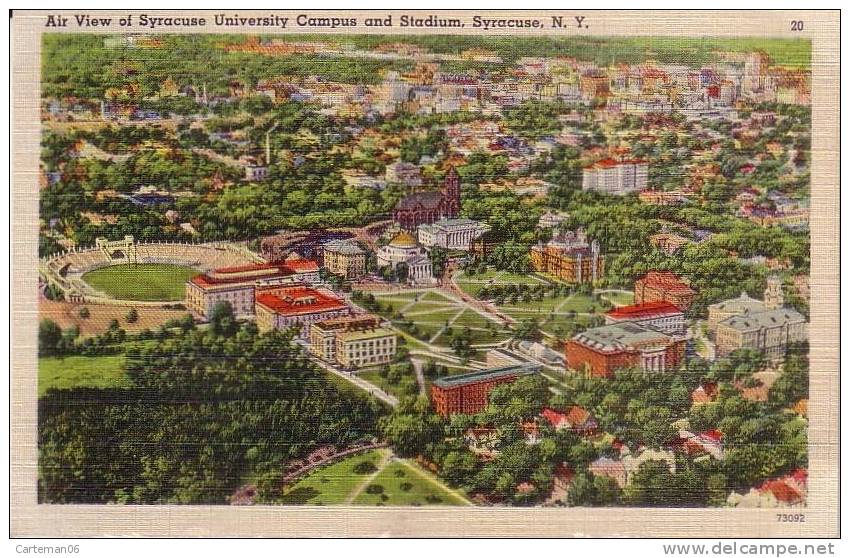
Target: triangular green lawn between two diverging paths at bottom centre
point(407, 485)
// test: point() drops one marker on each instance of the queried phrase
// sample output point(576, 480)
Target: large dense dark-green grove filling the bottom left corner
point(206, 408)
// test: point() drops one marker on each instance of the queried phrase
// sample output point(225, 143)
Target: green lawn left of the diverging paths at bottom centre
point(332, 484)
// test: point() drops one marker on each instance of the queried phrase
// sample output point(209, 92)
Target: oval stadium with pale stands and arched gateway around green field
point(126, 272)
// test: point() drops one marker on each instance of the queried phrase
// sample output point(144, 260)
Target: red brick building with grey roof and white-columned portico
point(601, 350)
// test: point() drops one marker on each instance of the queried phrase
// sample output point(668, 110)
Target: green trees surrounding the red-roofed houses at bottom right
point(761, 440)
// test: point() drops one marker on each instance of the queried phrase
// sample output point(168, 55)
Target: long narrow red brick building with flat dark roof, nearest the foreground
point(468, 393)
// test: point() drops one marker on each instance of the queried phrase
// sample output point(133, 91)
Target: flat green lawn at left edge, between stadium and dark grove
point(81, 371)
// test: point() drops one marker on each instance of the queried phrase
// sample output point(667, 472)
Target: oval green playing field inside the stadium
point(158, 282)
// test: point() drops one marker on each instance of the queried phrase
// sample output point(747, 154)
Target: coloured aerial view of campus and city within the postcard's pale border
point(424, 271)
